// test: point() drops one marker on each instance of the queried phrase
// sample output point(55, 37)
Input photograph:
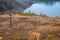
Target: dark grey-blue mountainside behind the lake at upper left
point(14, 5)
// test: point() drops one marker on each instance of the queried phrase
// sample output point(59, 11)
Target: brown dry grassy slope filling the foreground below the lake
point(29, 27)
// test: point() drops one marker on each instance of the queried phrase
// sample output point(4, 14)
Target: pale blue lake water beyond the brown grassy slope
point(48, 8)
